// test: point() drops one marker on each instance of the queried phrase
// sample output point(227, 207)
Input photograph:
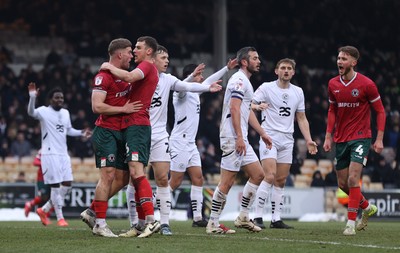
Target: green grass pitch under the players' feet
point(28, 236)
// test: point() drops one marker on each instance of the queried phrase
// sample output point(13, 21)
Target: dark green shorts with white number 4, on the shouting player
point(352, 151)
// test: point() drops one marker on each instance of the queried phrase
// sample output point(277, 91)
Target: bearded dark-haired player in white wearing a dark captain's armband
point(236, 151)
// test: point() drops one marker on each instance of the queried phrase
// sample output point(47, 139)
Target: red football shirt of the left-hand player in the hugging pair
point(117, 95)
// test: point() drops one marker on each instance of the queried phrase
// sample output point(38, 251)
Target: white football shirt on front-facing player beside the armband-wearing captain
point(283, 105)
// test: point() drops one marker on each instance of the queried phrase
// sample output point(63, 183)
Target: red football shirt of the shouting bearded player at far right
point(353, 106)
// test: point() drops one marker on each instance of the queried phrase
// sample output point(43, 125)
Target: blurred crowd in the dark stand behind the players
point(311, 38)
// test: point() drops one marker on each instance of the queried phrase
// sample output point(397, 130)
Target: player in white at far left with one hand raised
point(55, 125)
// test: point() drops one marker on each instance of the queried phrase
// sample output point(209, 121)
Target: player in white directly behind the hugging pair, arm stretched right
point(159, 150)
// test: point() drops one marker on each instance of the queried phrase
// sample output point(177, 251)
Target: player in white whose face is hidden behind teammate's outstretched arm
point(183, 150)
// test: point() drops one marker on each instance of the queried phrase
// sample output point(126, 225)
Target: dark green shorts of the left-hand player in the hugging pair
point(109, 148)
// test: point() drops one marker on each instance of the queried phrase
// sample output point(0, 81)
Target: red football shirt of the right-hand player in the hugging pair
point(143, 91)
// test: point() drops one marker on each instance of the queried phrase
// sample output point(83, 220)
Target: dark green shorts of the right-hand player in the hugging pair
point(138, 140)
